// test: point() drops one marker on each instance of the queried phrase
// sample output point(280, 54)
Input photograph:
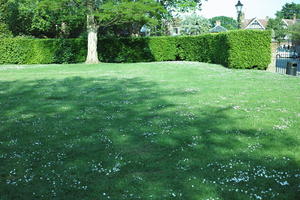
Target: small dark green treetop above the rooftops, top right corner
point(288, 11)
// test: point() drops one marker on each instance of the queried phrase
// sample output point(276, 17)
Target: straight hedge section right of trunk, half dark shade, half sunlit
point(137, 49)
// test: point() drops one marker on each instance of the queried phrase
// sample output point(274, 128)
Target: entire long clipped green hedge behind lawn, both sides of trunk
point(233, 49)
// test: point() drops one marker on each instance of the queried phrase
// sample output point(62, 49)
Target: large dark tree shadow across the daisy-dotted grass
point(103, 138)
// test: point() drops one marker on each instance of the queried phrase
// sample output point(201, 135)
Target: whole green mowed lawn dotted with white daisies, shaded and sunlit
point(149, 131)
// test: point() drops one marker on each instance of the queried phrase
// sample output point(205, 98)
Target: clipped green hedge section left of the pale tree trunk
point(36, 51)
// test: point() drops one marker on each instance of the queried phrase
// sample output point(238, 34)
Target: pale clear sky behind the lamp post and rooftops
point(252, 8)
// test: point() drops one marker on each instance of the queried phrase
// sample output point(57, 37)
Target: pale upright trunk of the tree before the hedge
point(92, 29)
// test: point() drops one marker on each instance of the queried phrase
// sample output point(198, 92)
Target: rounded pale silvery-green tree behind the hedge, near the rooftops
point(194, 25)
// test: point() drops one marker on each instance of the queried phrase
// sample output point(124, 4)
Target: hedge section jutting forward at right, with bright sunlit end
point(243, 49)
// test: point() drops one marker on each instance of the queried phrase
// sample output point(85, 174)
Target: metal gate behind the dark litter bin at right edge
point(285, 54)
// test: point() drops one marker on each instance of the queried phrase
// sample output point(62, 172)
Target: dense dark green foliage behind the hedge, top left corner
point(32, 17)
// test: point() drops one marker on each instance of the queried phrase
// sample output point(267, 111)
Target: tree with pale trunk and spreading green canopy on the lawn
point(107, 12)
